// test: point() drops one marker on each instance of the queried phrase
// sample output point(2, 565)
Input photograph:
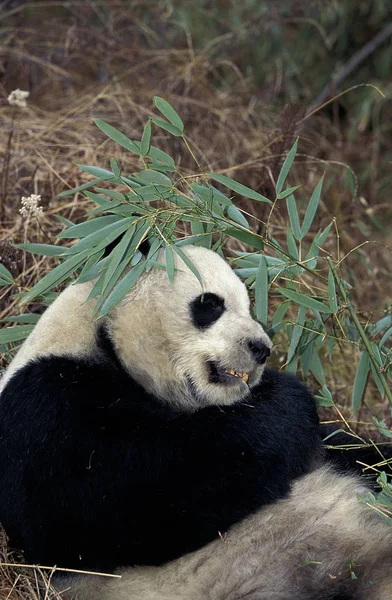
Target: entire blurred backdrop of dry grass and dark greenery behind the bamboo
point(247, 78)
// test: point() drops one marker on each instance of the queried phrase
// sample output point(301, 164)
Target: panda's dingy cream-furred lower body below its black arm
point(320, 543)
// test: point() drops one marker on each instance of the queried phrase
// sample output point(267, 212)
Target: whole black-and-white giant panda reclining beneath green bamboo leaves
point(157, 437)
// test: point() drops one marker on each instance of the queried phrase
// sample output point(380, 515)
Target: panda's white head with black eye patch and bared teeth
point(186, 344)
